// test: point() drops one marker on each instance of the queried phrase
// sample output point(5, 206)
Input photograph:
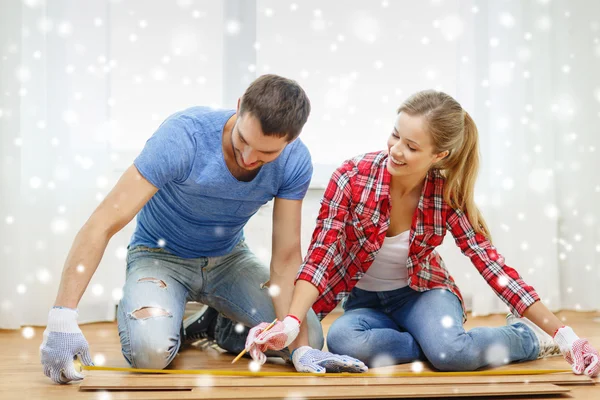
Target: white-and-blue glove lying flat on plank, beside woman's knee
point(307, 359)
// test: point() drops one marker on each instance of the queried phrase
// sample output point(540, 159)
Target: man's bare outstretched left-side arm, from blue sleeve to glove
point(119, 207)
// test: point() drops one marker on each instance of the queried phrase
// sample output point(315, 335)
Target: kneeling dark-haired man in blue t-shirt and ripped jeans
point(194, 186)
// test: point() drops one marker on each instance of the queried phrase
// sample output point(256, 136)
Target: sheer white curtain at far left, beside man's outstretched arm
point(53, 151)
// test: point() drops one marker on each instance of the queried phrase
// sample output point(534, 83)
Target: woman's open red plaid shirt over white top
point(352, 225)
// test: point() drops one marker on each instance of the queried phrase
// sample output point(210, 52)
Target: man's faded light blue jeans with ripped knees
point(159, 284)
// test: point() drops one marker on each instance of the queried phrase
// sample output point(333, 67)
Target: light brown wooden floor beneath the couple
point(22, 377)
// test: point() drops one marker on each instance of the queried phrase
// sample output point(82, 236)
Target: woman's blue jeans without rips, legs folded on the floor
point(403, 325)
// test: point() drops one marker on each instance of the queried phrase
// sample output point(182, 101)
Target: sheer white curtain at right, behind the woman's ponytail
point(531, 83)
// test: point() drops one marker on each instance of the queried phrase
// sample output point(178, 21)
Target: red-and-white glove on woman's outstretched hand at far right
point(578, 352)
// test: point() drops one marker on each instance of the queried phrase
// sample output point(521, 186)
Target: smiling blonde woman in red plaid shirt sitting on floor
point(382, 216)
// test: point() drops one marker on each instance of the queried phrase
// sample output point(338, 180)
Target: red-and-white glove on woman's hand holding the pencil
point(278, 337)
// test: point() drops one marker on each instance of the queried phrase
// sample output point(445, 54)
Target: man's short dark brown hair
point(280, 104)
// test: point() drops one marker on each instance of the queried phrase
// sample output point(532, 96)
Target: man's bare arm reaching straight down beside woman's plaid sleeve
point(286, 257)
